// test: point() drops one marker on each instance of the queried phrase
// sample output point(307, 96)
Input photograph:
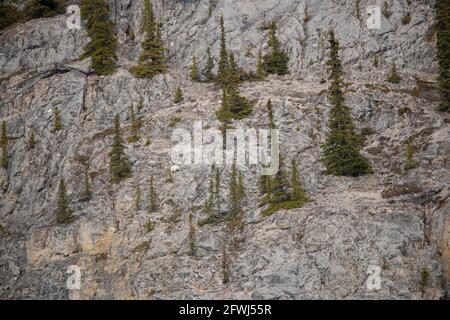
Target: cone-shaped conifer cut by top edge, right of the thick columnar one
point(152, 60)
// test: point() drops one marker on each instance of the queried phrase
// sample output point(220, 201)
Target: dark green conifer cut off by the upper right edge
point(443, 52)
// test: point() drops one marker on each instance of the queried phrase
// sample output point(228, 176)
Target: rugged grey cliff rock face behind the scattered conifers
point(395, 220)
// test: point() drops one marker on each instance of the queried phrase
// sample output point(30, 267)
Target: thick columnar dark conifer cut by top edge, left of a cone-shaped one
point(103, 45)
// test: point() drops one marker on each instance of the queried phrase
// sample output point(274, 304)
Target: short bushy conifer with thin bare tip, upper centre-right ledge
point(276, 61)
